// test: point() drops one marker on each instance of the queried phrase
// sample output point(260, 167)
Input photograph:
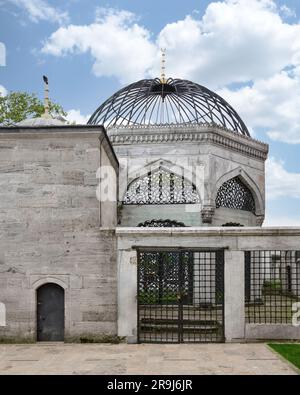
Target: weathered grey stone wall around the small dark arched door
point(49, 229)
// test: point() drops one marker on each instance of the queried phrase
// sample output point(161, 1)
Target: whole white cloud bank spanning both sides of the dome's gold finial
point(234, 41)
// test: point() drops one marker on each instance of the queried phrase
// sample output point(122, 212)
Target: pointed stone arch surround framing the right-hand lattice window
point(243, 179)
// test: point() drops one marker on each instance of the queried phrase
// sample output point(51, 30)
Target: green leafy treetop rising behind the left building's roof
point(17, 106)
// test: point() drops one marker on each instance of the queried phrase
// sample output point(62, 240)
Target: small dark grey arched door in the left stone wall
point(50, 313)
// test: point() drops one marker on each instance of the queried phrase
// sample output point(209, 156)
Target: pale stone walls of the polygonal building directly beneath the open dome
point(206, 156)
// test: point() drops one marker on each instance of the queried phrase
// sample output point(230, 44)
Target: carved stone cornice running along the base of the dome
point(204, 134)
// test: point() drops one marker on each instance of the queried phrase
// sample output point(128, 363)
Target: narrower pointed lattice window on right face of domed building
point(234, 194)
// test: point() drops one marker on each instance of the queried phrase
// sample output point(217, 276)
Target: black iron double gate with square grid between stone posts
point(180, 296)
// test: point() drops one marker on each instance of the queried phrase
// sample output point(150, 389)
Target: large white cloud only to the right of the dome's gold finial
point(235, 41)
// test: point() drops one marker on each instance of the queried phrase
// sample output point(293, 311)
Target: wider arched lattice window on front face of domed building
point(161, 187)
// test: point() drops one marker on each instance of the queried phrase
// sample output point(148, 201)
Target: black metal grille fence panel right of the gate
point(272, 286)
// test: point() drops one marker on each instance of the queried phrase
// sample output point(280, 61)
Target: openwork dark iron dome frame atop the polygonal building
point(175, 101)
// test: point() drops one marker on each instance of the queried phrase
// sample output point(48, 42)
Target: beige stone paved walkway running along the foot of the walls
point(46, 358)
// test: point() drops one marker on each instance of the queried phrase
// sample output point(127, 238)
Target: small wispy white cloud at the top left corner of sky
point(40, 10)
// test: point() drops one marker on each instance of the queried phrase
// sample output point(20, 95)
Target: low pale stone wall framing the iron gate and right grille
point(234, 241)
